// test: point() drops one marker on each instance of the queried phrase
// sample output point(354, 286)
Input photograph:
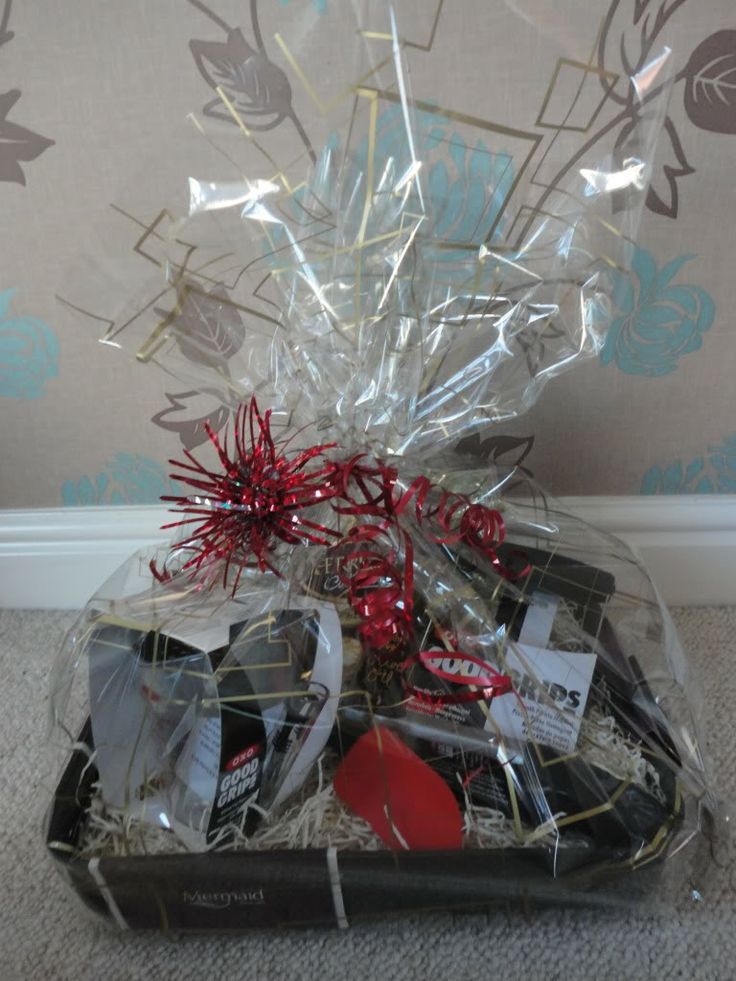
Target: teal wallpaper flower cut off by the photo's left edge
point(29, 353)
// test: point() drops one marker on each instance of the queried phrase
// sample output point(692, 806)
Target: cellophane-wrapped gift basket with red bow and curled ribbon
point(371, 674)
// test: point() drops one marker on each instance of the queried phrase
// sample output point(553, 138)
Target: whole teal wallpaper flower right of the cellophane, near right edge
point(658, 320)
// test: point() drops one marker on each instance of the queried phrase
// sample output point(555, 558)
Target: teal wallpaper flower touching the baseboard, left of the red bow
point(126, 479)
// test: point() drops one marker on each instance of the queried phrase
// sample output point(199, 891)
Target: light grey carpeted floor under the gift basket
point(44, 936)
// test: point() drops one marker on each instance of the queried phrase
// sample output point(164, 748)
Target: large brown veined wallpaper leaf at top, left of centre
point(258, 89)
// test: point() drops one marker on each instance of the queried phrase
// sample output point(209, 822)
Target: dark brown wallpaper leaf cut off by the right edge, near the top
point(710, 86)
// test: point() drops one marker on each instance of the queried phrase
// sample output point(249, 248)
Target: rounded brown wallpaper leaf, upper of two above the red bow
point(207, 326)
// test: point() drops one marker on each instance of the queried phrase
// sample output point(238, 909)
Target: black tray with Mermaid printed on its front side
point(231, 891)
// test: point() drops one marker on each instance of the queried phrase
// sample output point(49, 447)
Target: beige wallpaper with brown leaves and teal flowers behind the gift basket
point(653, 416)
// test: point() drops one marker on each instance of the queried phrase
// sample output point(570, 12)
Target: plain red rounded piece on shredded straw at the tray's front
point(405, 802)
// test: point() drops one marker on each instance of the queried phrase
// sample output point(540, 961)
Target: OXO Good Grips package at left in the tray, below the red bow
point(188, 731)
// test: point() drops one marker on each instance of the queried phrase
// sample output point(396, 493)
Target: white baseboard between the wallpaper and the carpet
point(55, 559)
